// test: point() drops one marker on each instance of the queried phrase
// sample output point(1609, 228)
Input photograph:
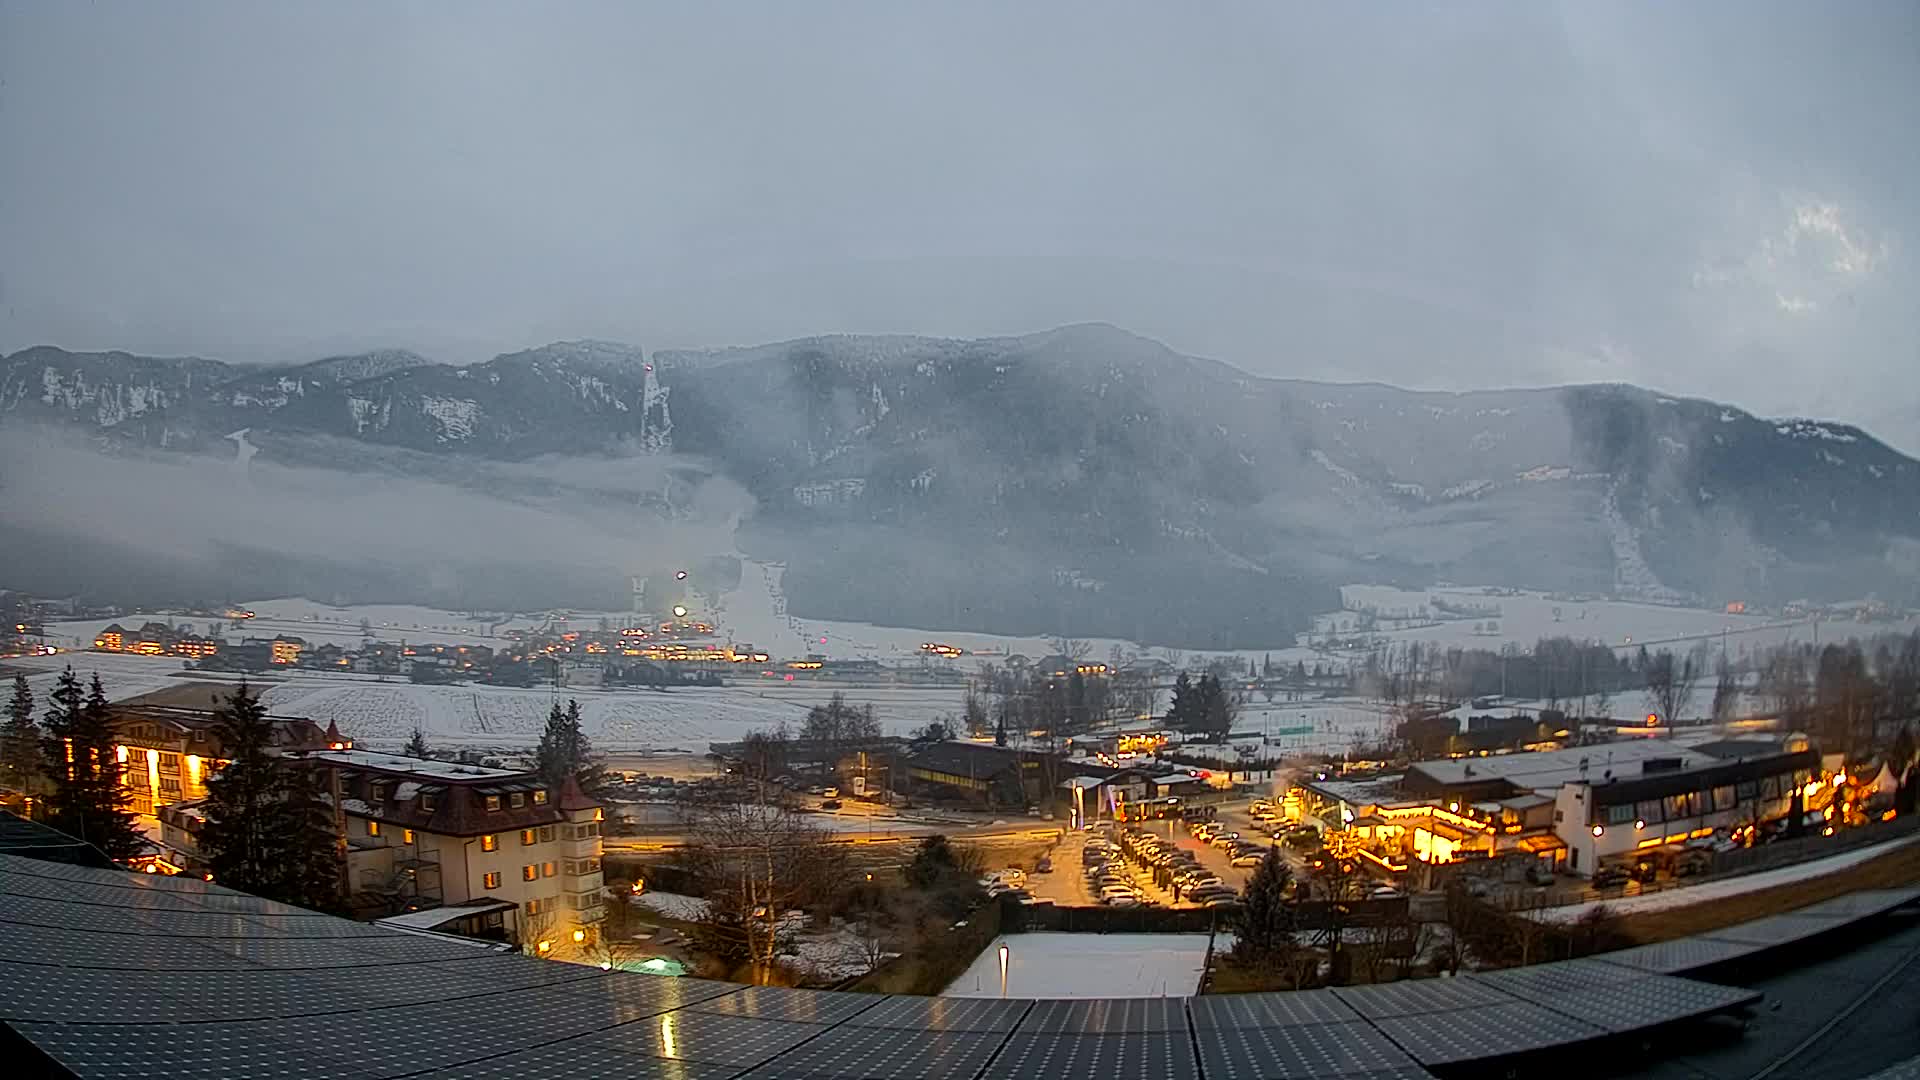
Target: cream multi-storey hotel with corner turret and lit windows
point(519, 858)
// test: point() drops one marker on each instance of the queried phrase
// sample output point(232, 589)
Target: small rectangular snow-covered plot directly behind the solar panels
point(1088, 966)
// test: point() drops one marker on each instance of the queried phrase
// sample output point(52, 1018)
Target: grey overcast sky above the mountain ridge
point(1710, 199)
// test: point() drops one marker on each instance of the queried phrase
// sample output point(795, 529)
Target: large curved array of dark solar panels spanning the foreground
point(137, 975)
